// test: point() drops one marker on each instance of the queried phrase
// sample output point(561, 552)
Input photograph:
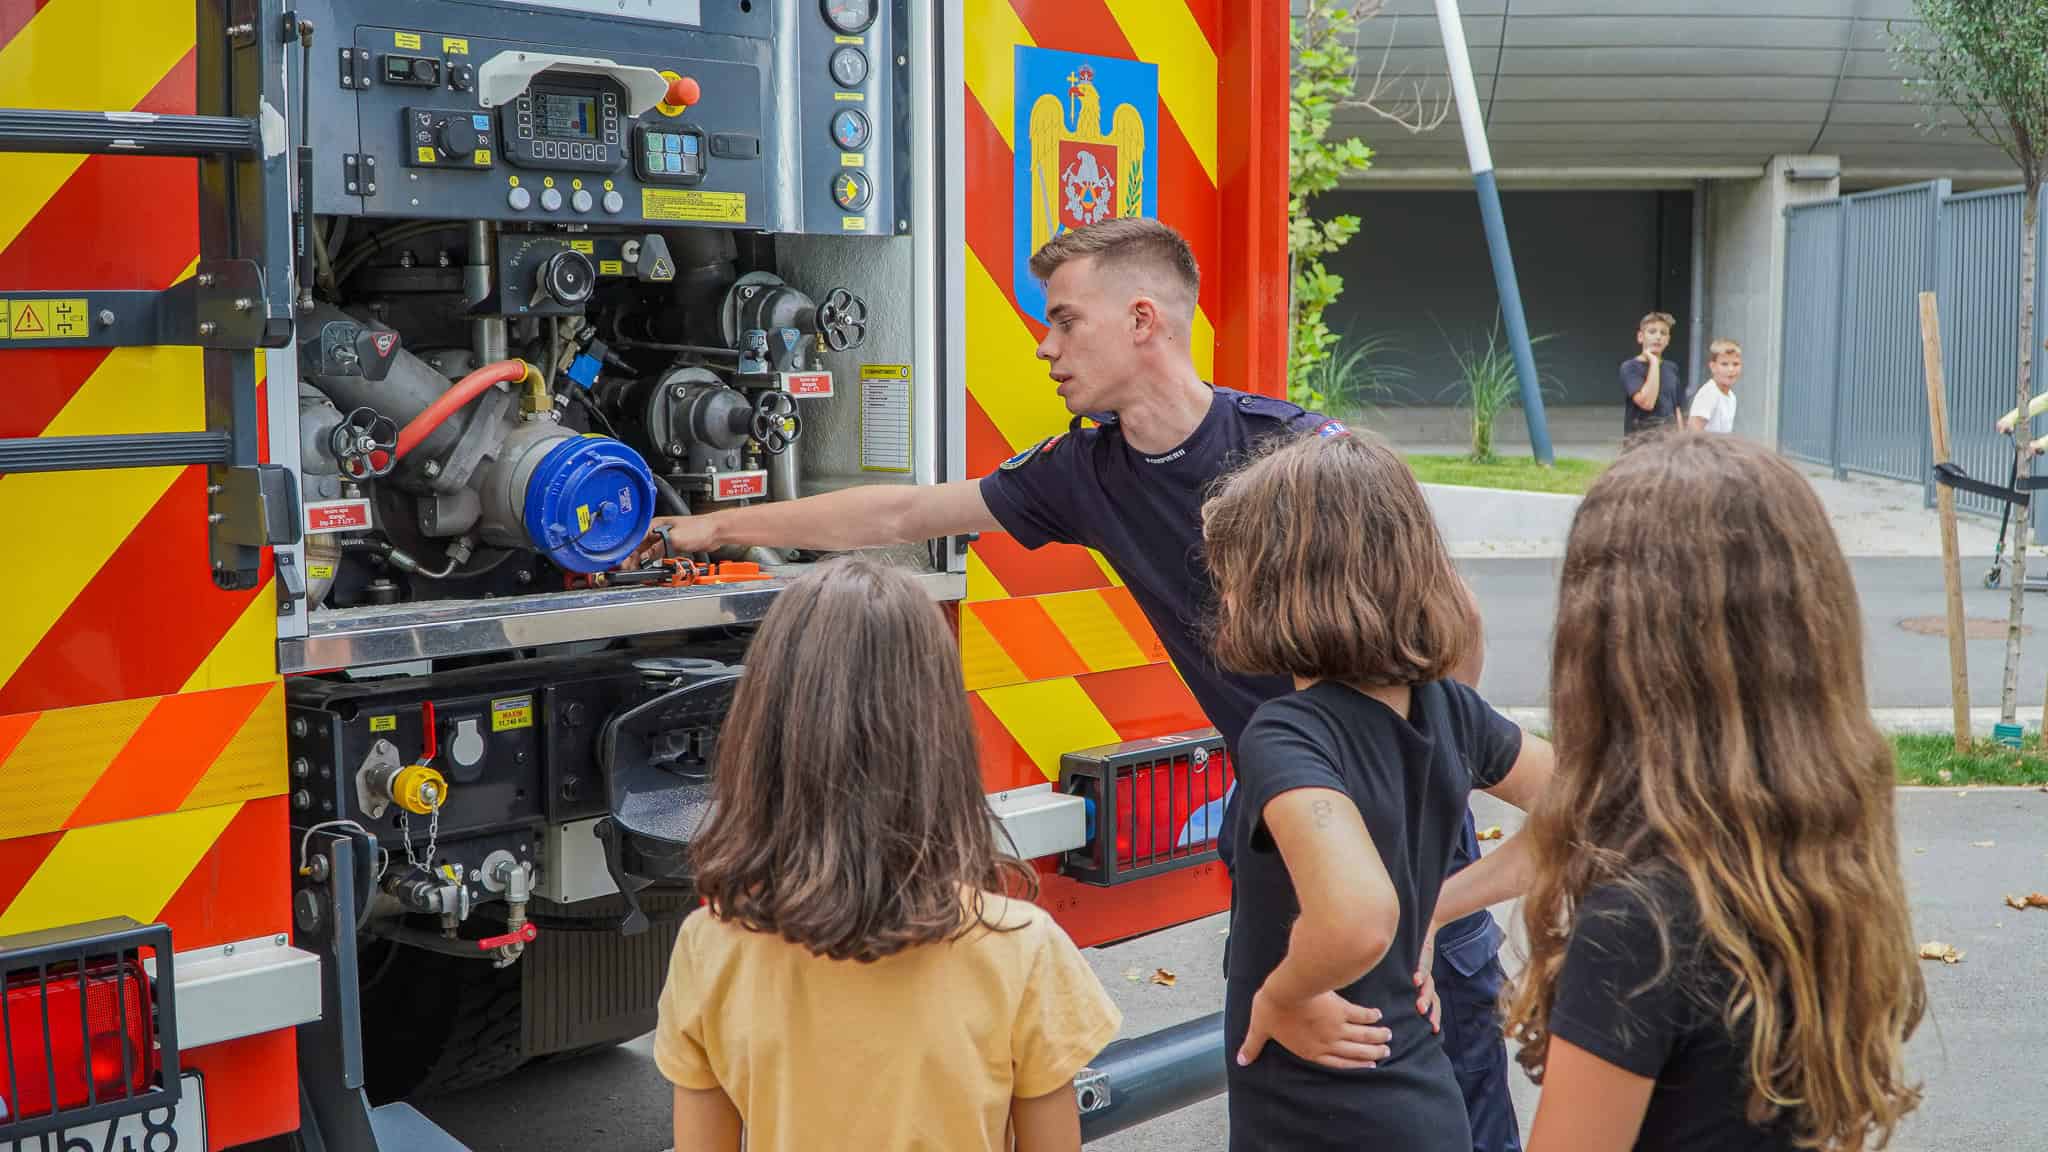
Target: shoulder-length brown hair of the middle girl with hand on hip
point(1328, 565)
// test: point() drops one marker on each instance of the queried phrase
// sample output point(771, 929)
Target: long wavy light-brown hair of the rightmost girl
point(1709, 714)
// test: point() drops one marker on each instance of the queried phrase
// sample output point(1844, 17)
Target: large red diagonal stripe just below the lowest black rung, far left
point(91, 653)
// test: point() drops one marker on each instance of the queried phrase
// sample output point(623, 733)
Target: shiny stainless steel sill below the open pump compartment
point(353, 639)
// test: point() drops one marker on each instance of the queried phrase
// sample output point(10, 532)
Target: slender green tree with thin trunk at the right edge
point(1988, 60)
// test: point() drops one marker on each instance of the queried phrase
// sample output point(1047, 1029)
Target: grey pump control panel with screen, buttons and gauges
point(714, 116)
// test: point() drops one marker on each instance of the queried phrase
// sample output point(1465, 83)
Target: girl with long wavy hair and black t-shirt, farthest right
point(1719, 942)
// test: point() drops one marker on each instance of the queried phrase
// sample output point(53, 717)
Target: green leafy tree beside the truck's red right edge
point(1324, 77)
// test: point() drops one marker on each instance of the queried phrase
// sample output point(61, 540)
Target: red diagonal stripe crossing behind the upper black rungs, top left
point(71, 245)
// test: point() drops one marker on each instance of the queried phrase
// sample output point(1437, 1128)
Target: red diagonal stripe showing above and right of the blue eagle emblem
point(1187, 194)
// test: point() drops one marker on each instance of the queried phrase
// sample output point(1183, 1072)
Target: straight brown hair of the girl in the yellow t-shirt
point(849, 794)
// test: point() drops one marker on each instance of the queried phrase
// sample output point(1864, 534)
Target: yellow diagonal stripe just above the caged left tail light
point(130, 868)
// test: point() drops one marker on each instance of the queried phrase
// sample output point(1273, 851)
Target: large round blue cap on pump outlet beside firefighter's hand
point(591, 503)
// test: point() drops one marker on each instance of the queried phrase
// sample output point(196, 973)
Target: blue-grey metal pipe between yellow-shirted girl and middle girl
point(1152, 1075)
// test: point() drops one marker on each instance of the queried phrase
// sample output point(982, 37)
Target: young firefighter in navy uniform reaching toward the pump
point(1121, 302)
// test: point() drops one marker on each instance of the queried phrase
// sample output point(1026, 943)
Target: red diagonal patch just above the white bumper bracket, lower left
point(241, 889)
